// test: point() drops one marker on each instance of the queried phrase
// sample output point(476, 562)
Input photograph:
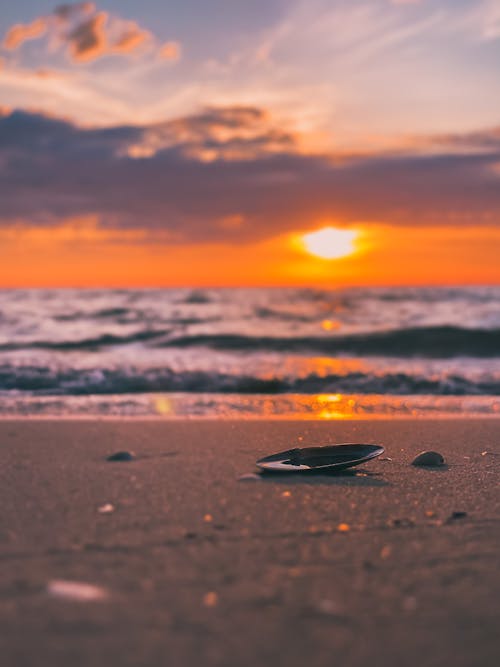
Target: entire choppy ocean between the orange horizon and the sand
point(273, 352)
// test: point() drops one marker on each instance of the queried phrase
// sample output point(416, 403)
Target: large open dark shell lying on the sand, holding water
point(324, 459)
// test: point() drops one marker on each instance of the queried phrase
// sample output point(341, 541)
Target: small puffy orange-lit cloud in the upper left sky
point(89, 34)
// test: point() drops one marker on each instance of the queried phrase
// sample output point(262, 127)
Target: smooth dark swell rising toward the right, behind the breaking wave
point(433, 342)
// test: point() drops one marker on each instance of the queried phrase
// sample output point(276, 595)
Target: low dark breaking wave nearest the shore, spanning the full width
point(45, 380)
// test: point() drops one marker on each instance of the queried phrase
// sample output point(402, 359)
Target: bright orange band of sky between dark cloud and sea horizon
point(79, 254)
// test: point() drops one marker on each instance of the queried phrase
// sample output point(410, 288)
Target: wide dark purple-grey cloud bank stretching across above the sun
point(230, 174)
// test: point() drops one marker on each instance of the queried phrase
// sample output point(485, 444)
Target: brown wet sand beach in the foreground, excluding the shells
point(199, 567)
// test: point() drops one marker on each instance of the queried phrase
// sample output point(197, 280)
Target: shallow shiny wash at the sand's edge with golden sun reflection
point(189, 405)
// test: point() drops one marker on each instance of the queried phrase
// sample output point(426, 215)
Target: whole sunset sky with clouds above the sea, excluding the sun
point(197, 143)
